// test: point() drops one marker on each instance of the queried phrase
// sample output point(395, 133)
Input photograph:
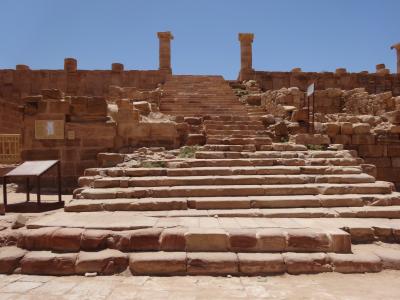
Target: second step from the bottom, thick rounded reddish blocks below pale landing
point(189, 239)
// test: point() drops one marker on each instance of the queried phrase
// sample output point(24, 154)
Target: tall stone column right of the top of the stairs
point(246, 56)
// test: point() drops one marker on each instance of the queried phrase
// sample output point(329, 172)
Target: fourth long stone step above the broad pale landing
point(220, 171)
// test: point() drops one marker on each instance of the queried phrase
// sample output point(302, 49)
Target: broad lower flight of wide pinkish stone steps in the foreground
point(226, 211)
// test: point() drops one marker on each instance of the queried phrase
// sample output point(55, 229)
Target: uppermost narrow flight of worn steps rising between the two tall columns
point(187, 95)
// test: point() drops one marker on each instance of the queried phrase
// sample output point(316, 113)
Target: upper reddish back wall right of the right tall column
point(373, 83)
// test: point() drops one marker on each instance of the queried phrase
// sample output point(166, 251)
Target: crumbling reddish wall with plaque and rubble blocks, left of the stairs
point(88, 128)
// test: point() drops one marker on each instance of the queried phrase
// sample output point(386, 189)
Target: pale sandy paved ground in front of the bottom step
point(327, 286)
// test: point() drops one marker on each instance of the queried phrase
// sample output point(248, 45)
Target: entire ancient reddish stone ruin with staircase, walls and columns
point(186, 174)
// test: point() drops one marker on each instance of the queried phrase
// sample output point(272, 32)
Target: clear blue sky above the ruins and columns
point(316, 35)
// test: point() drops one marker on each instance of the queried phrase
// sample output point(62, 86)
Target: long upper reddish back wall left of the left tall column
point(17, 84)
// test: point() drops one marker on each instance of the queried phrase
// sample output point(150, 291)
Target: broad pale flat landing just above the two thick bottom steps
point(361, 229)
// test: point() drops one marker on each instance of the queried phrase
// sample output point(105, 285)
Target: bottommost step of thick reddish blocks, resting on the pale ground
point(108, 262)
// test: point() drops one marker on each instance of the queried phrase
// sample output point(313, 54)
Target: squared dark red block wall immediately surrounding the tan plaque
point(86, 132)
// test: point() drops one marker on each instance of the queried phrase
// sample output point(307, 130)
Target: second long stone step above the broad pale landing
point(378, 187)
